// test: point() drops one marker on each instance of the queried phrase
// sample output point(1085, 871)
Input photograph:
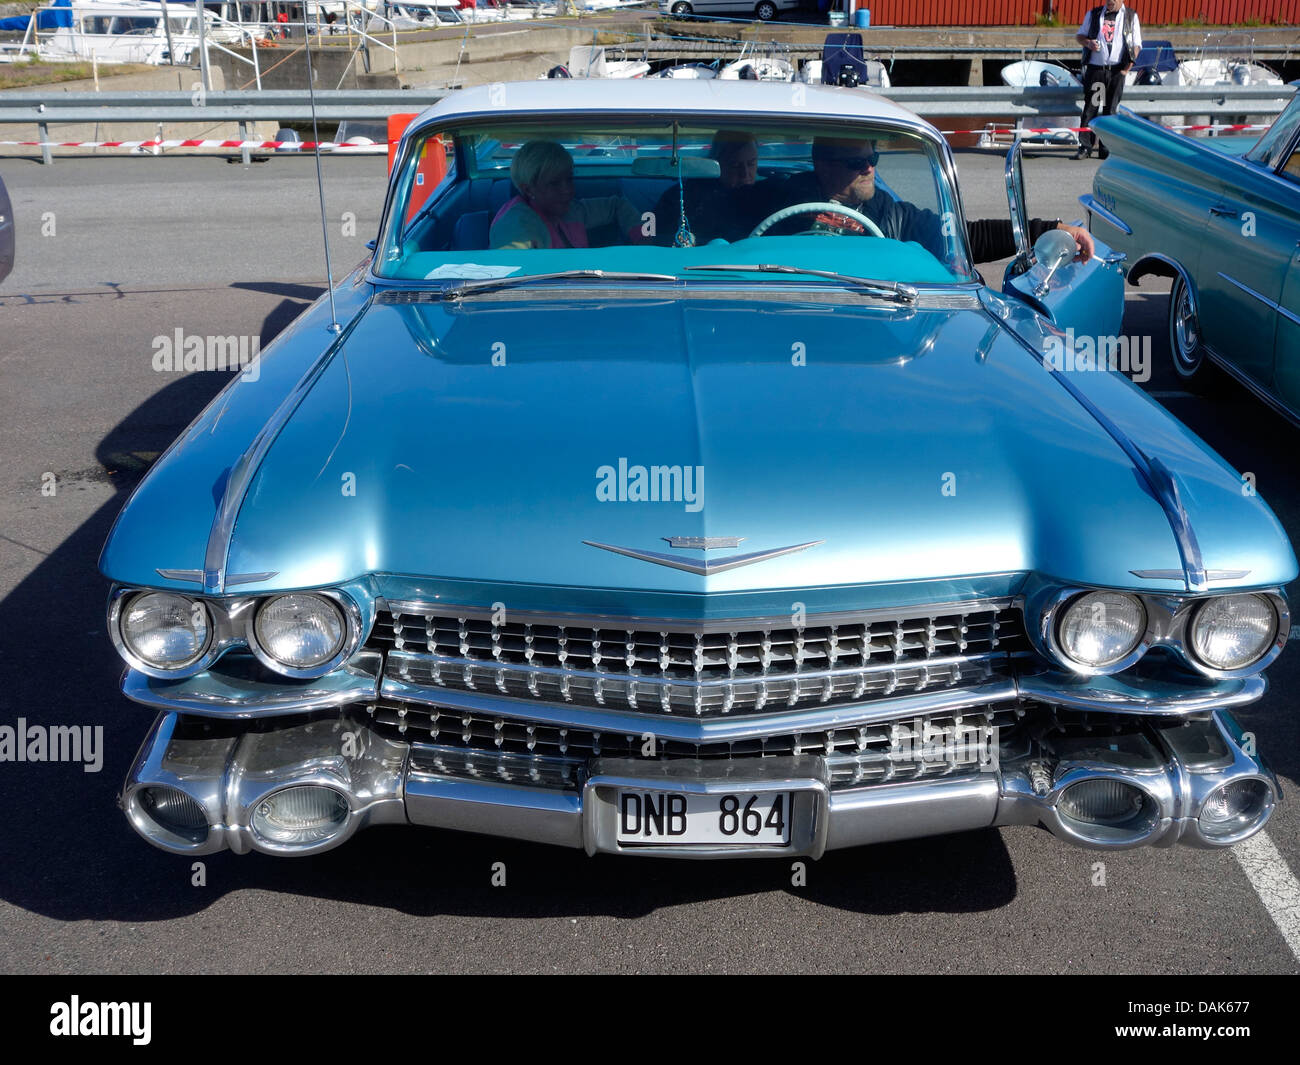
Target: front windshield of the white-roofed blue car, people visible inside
point(664, 197)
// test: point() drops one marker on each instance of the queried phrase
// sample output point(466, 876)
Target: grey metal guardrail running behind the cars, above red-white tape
point(293, 106)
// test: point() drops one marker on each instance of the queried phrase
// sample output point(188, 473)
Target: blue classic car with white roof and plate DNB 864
point(655, 495)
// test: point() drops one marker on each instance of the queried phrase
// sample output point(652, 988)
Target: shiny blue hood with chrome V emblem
point(497, 440)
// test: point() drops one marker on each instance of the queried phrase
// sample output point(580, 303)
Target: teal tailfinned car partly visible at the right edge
point(1221, 218)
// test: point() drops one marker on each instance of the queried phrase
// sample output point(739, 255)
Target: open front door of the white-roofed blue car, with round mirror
point(1085, 297)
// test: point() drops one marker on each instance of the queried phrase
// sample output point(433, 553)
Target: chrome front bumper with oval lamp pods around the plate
point(229, 768)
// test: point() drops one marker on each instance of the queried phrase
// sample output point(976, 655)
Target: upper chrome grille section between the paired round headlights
point(703, 670)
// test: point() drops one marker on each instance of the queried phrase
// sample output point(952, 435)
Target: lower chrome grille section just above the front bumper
point(522, 751)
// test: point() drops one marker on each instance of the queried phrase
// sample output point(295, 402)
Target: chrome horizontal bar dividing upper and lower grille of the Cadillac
point(696, 730)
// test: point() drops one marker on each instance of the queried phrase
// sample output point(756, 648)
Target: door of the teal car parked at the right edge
point(1253, 228)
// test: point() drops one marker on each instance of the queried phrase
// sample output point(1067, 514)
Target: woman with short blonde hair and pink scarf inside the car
point(545, 215)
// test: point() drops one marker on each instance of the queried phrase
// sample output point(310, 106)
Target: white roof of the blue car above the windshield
point(660, 96)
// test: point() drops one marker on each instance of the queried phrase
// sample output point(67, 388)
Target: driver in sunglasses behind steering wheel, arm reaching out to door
point(846, 172)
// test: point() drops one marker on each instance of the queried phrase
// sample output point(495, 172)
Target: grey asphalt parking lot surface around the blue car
point(115, 252)
